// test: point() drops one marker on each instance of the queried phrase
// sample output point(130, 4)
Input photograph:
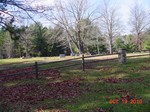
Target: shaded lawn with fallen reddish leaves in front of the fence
point(92, 90)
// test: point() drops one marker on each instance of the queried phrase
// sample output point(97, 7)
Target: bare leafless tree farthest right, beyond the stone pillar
point(139, 21)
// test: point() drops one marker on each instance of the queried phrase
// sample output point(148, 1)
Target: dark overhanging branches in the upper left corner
point(14, 10)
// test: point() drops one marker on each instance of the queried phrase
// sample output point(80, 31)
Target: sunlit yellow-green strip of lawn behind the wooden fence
point(17, 62)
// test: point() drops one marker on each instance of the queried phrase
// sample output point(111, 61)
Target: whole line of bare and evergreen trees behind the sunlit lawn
point(76, 27)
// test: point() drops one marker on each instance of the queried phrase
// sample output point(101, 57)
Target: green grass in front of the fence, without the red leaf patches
point(96, 94)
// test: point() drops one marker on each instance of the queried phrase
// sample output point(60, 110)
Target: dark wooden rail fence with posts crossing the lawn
point(37, 66)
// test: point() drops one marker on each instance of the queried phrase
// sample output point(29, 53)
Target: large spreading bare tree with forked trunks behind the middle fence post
point(70, 15)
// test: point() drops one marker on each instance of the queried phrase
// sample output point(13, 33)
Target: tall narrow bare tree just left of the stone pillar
point(110, 23)
